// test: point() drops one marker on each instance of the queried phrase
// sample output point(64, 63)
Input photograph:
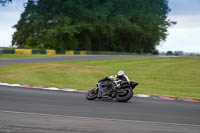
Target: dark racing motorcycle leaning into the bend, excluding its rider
point(107, 88)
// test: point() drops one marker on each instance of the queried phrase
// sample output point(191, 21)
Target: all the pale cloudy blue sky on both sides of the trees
point(184, 36)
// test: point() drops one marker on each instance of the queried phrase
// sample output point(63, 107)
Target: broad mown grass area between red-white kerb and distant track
point(175, 77)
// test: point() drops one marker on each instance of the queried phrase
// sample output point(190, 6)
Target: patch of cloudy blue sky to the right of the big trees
point(185, 35)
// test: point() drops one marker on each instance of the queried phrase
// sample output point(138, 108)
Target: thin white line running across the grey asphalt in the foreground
point(93, 118)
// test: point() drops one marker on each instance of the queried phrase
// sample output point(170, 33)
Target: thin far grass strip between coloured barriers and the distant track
point(11, 56)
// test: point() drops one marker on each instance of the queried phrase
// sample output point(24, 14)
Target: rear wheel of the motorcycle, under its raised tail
point(124, 97)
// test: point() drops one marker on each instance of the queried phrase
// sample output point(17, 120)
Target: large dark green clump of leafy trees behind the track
point(100, 25)
